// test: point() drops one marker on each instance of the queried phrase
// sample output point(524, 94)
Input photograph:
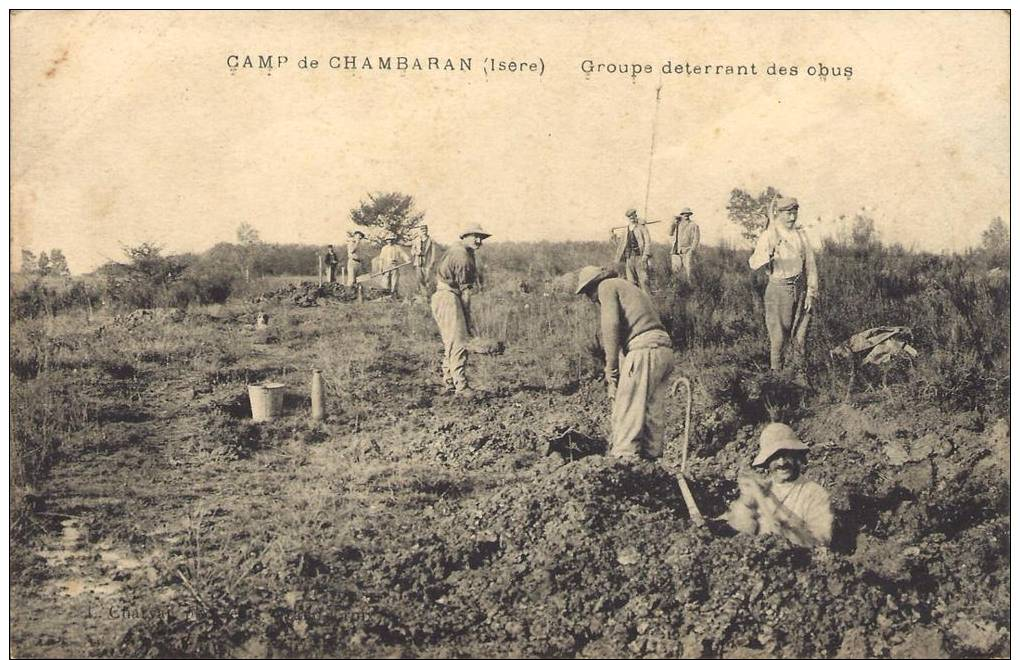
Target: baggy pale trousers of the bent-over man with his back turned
point(642, 397)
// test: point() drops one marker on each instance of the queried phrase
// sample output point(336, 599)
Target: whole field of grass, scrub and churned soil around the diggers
point(152, 518)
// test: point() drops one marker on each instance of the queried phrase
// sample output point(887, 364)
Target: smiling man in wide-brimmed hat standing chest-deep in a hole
point(786, 503)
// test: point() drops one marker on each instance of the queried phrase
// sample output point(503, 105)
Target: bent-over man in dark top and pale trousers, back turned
point(639, 363)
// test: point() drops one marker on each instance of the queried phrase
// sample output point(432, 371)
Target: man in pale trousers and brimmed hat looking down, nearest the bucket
point(456, 280)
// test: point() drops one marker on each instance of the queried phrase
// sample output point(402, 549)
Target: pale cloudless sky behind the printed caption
point(130, 127)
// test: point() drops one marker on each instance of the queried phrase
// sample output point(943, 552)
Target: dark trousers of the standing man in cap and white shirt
point(787, 321)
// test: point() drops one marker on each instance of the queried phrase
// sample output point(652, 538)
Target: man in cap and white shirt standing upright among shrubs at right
point(793, 285)
